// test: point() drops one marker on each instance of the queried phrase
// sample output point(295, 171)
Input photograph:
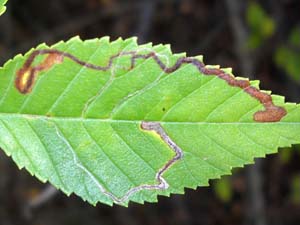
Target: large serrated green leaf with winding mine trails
point(118, 122)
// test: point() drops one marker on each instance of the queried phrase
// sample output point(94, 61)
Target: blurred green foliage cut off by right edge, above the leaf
point(288, 56)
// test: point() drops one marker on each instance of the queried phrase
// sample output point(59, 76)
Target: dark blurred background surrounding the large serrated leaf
point(259, 39)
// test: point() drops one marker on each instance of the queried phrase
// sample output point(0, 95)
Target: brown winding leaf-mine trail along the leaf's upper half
point(27, 76)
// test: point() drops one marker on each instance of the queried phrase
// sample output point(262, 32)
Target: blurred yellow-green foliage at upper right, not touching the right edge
point(261, 25)
